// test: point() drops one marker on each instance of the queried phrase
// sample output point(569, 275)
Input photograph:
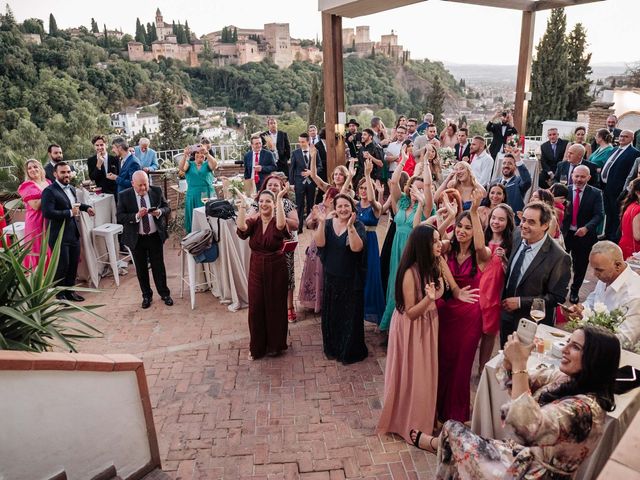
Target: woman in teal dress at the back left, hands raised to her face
point(199, 175)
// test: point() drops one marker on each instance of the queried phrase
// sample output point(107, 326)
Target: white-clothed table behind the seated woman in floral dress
point(490, 397)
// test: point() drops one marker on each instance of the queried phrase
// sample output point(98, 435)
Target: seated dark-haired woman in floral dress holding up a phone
point(556, 416)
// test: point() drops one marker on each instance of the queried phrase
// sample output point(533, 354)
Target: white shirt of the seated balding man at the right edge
point(623, 293)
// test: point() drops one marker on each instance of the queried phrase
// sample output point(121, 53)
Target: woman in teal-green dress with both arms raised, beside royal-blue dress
point(410, 209)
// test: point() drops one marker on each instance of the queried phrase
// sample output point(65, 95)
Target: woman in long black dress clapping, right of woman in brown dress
point(342, 246)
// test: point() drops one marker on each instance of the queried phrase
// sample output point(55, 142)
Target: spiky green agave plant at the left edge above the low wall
point(31, 317)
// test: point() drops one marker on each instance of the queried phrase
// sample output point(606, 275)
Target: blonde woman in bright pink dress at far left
point(31, 192)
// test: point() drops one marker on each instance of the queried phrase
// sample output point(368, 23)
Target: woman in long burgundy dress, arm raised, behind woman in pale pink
point(460, 326)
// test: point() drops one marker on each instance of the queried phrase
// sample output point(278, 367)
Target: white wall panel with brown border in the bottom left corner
point(78, 421)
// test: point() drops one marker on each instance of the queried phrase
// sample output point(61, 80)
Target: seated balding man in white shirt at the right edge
point(618, 287)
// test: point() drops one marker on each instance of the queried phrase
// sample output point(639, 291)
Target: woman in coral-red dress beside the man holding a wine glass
point(498, 237)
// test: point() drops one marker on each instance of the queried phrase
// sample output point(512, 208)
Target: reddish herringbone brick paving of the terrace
point(218, 415)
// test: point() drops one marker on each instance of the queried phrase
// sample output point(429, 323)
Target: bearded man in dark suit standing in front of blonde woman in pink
point(61, 208)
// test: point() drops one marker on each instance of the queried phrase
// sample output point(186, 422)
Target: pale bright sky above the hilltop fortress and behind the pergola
point(437, 30)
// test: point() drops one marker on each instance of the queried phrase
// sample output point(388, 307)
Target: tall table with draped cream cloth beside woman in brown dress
point(227, 277)
